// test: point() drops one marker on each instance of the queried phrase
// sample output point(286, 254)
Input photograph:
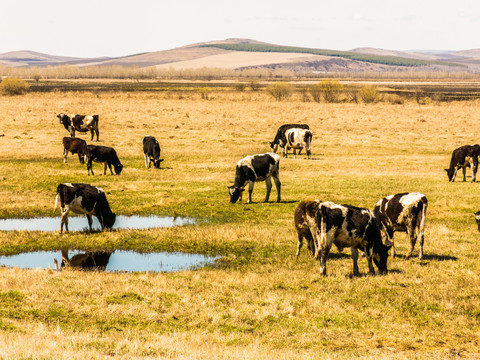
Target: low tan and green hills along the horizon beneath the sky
point(246, 53)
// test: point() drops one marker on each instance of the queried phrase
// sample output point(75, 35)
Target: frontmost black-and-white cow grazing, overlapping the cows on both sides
point(345, 226)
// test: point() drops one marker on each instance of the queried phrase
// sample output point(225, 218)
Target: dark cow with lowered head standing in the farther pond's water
point(84, 199)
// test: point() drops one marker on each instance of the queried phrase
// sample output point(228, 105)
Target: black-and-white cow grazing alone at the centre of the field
point(260, 167)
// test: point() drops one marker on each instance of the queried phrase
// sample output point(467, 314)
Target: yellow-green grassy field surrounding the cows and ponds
point(257, 301)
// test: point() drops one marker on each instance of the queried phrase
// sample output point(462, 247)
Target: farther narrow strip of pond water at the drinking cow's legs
point(76, 223)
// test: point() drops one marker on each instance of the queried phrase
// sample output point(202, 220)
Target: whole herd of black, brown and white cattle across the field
point(321, 223)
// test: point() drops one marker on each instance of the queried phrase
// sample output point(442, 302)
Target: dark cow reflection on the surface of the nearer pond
point(90, 260)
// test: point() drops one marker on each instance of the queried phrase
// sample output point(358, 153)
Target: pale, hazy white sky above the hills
point(90, 28)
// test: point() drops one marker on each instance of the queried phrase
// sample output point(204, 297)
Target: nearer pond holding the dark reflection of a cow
point(116, 261)
